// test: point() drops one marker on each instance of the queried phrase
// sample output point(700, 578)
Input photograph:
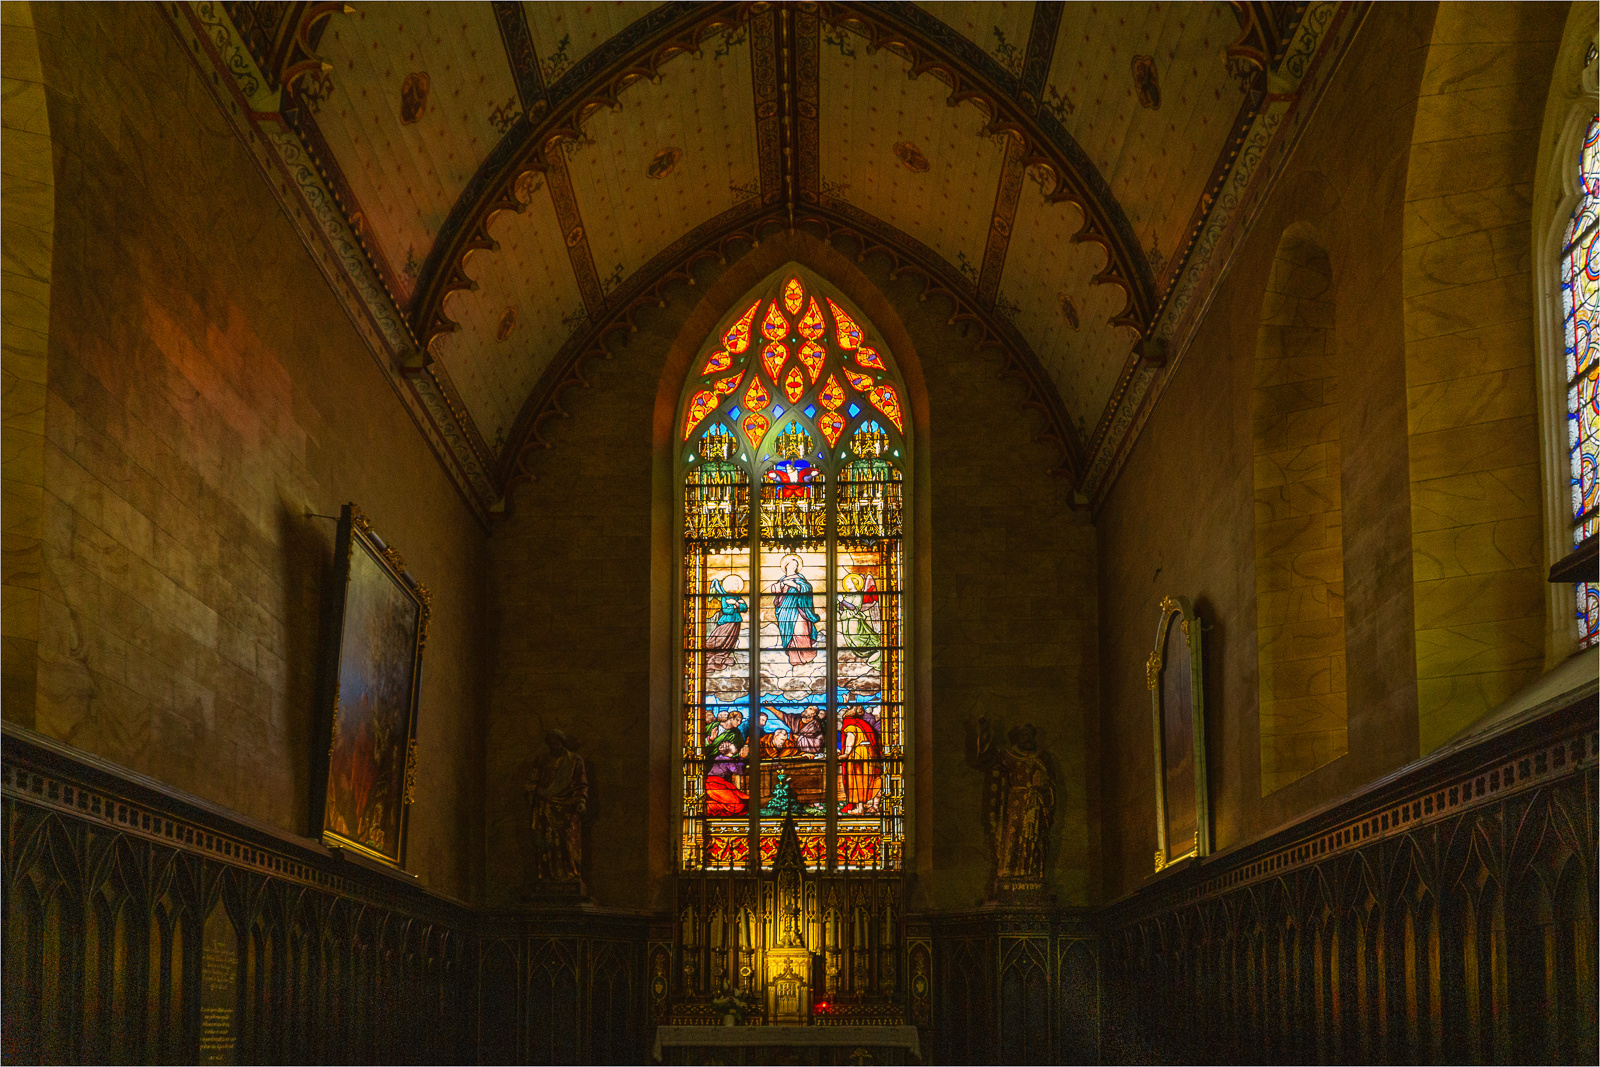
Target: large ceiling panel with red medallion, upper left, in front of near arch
point(417, 98)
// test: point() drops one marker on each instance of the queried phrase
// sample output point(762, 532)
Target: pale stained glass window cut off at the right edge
point(1580, 310)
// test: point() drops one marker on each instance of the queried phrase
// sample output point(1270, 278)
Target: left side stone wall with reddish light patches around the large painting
point(206, 393)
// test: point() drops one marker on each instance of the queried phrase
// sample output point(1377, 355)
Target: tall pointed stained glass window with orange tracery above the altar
point(793, 436)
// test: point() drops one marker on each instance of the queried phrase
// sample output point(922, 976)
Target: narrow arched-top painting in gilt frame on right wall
point(1183, 812)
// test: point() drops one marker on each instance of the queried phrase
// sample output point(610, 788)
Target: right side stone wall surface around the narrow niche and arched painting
point(1182, 518)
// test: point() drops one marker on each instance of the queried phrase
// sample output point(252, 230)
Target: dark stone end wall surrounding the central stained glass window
point(583, 588)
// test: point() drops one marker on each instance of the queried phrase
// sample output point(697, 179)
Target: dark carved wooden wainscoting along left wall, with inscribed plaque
point(143, 925)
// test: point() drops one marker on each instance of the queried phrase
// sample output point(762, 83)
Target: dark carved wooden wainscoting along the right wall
point(1441, 916)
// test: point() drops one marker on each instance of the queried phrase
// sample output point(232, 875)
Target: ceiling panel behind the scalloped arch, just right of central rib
point(890, 146)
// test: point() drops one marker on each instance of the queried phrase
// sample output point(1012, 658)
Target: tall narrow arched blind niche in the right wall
point(1300, 548)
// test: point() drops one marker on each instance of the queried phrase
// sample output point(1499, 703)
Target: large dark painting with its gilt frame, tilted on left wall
point(374, 637)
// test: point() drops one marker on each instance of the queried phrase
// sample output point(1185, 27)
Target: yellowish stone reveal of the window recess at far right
point(1470, 354)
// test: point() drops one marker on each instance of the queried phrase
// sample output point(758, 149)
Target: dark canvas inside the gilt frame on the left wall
point(374, 714)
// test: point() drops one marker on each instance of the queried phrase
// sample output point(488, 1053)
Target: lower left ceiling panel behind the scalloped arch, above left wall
point(526, 308)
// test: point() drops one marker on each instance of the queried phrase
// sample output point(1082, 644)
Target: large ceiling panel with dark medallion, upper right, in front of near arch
point(1156, 142)
